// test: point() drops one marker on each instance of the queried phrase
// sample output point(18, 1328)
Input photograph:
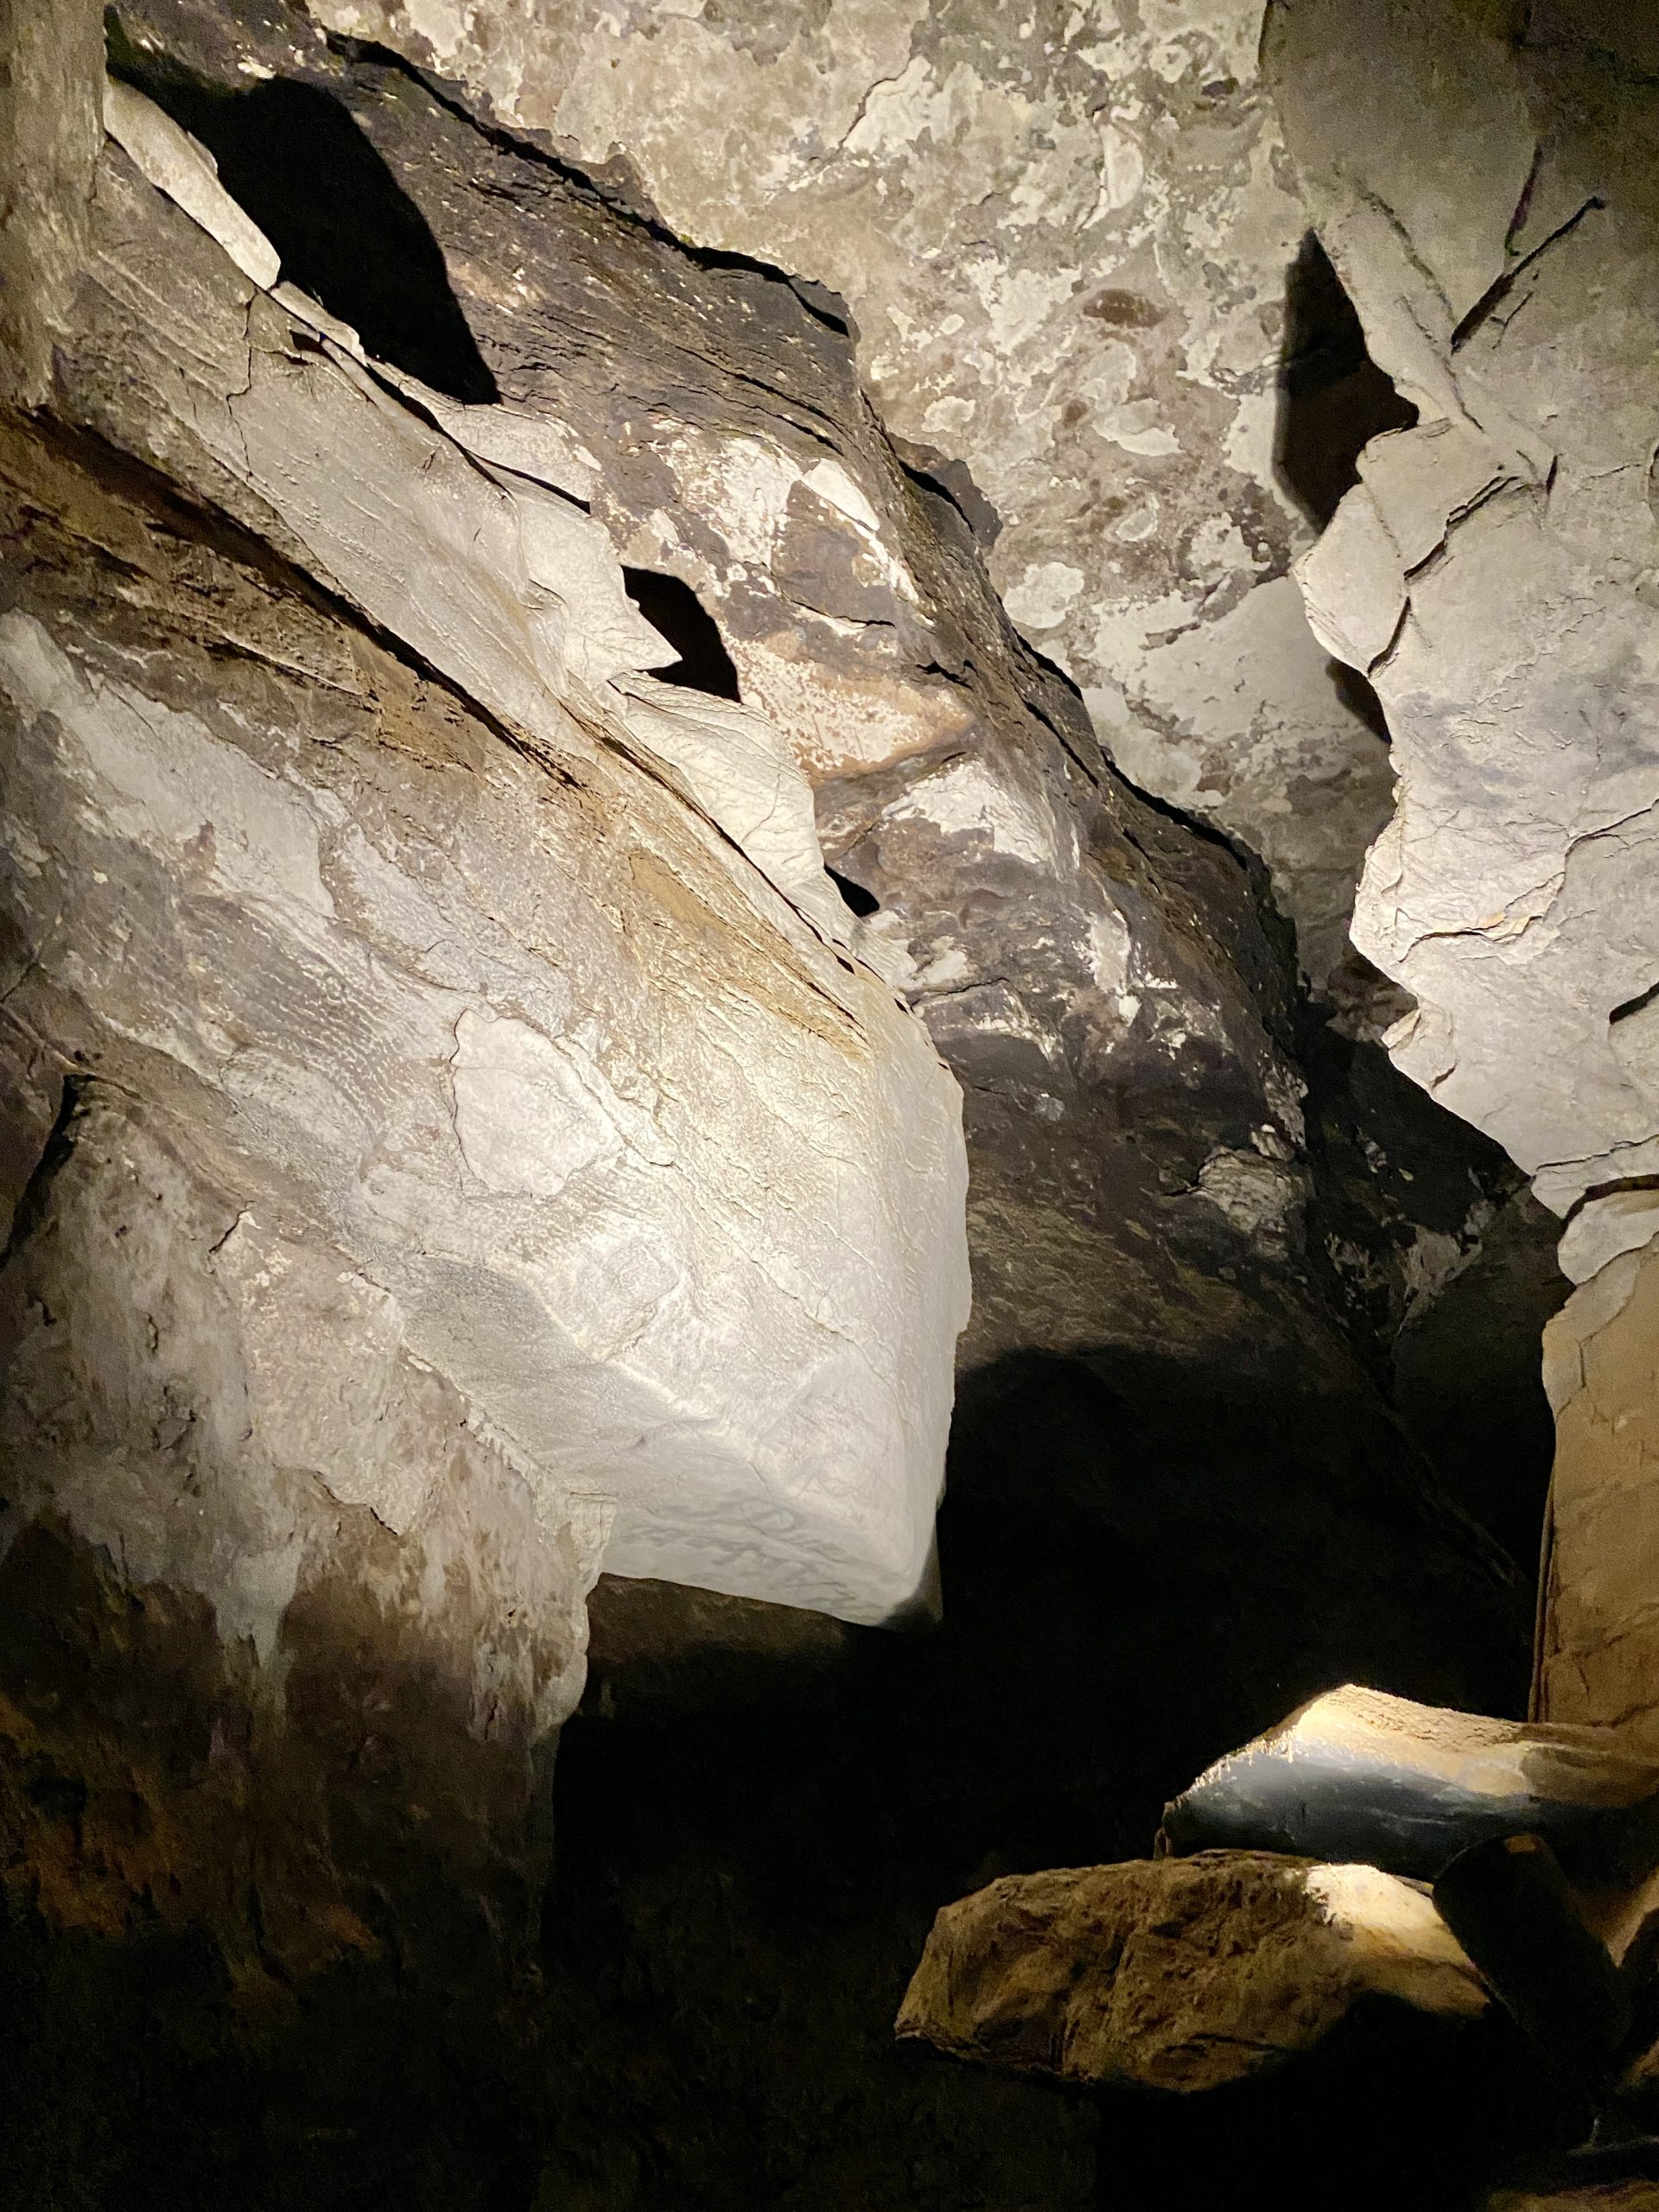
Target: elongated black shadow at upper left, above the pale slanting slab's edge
point(344, 227)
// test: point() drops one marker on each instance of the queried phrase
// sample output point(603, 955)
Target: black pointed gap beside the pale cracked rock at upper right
point(1333, 397)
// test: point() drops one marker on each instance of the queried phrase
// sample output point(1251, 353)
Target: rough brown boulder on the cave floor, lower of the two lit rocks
point(1178, 1974)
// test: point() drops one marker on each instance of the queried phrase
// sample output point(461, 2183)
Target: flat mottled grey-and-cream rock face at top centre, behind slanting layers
point(1067, 238)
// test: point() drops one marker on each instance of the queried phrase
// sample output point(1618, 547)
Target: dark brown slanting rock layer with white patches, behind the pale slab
point(1096, 974)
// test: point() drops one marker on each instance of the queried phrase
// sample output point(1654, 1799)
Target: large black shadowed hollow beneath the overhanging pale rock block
point(1145, 1563)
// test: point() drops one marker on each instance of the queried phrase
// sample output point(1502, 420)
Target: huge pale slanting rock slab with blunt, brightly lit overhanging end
point(700, 1273)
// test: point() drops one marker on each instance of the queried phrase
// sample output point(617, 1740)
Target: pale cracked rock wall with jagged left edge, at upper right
point(1494, 572)
